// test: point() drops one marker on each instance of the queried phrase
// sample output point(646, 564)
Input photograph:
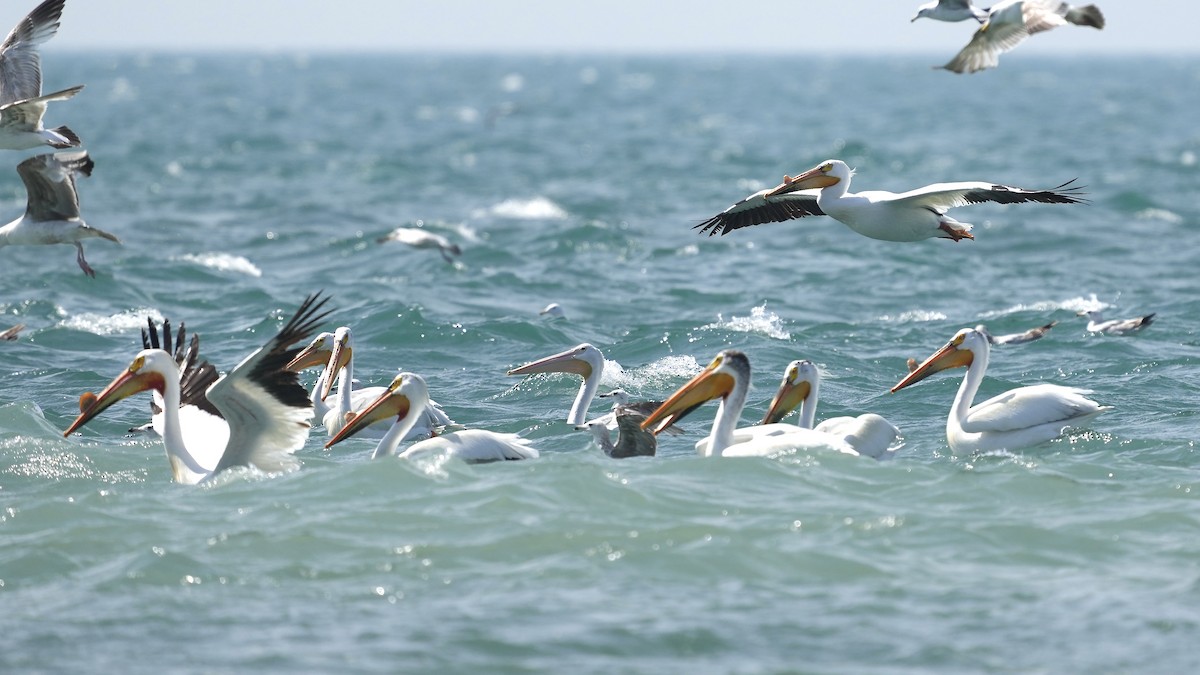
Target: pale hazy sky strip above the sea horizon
point(839, 27)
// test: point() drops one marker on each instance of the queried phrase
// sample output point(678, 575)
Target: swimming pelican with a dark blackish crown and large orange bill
point(729, 379)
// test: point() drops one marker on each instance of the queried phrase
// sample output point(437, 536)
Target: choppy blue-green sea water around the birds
point(242, 184)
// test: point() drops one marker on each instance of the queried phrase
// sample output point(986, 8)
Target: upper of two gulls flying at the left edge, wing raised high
point(22, 104)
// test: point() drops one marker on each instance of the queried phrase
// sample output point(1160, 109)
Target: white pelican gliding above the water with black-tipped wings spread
point(908, 217)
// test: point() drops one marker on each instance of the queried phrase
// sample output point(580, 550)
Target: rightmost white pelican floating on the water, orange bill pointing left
point(1018, 419)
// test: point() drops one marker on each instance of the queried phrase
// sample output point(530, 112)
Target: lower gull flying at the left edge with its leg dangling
point(52, 216)
